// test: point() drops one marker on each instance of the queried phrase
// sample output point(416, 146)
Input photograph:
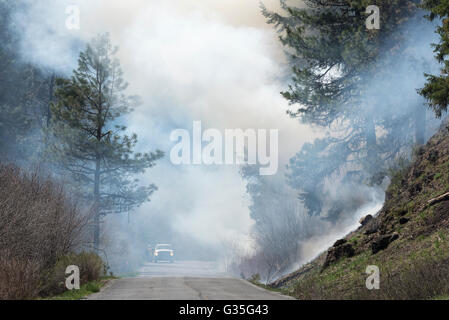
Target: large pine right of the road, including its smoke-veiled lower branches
point(334, 58)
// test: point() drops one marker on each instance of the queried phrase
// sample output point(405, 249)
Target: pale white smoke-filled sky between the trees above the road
point(215, 61)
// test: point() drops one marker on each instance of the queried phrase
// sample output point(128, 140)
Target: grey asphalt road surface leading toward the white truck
point(183, 280)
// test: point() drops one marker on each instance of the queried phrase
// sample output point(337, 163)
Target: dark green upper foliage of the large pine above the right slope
point(333, 54)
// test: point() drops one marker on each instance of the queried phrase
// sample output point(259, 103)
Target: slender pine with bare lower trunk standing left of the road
point(89, 144)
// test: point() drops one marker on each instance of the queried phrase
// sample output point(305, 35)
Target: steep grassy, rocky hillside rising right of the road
point(407, 239)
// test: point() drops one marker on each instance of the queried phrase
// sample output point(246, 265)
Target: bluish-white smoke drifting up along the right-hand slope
point(390, 99)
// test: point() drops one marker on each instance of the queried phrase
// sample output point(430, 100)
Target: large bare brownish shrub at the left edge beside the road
point(39, 225)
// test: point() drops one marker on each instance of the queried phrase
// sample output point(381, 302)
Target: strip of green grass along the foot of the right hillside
point(341, 280)
